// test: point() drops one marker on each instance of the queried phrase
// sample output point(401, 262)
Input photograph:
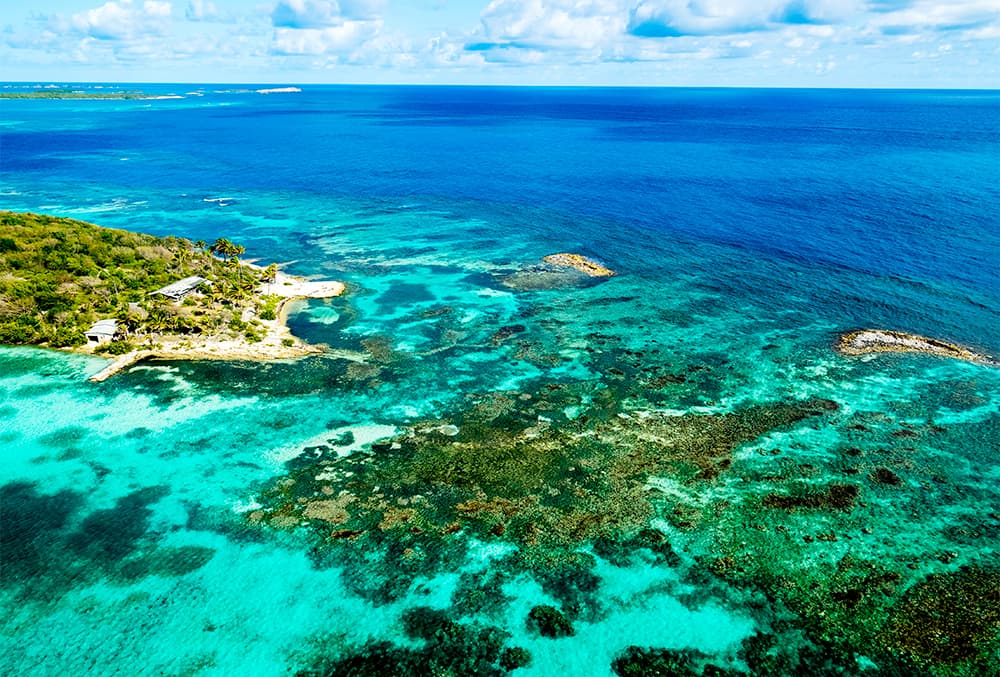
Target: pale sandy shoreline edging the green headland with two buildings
point(274, 344)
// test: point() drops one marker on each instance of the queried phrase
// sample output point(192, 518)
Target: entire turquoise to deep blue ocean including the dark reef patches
point(669, 470)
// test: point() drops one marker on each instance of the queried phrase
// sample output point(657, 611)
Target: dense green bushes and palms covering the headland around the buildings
point(59, 275)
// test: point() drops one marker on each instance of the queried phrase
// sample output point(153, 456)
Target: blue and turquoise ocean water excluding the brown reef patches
point(747, 227)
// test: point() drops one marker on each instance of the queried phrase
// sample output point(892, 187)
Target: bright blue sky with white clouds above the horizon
point(810, 43)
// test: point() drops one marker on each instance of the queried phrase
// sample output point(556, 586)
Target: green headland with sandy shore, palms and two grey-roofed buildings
point(73, 285)
